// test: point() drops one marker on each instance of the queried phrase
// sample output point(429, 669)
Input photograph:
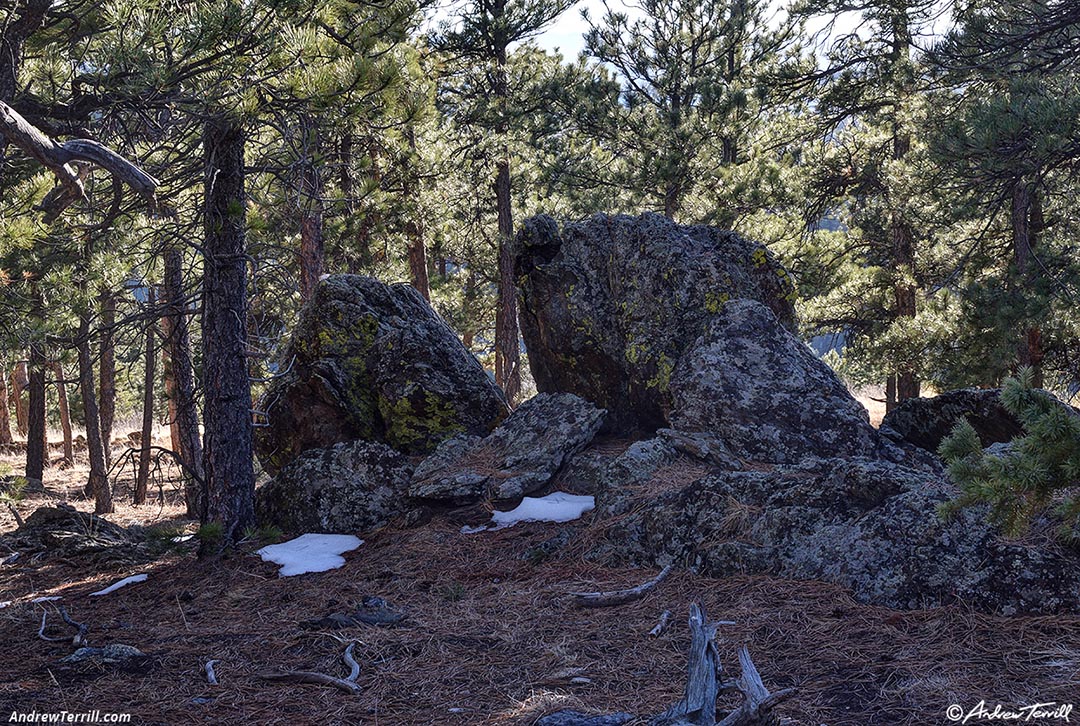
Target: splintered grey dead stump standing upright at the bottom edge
point(698, 705)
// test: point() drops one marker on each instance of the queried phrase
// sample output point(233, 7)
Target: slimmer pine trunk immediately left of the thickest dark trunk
point(180, 354)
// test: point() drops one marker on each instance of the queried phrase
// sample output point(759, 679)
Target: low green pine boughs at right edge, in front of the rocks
point(1038, 470)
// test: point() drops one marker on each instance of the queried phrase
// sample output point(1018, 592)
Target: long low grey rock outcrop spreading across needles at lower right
point(868, 525)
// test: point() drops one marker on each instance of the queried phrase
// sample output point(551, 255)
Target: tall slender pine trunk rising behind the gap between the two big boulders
point(507, 347)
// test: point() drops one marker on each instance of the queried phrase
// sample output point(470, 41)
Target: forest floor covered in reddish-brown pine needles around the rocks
point(490, 636)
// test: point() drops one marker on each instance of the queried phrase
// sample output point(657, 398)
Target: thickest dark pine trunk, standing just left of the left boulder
point(229, 473)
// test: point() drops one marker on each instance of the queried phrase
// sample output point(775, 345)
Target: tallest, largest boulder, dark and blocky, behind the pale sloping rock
point(609, 306)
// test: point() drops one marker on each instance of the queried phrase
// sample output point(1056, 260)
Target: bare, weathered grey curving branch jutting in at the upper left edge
point(63, 158)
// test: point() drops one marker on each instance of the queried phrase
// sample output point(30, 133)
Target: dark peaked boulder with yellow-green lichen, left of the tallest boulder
point(375, 362)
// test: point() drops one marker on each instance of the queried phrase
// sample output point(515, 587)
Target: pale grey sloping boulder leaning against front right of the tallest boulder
point(755, 387)
